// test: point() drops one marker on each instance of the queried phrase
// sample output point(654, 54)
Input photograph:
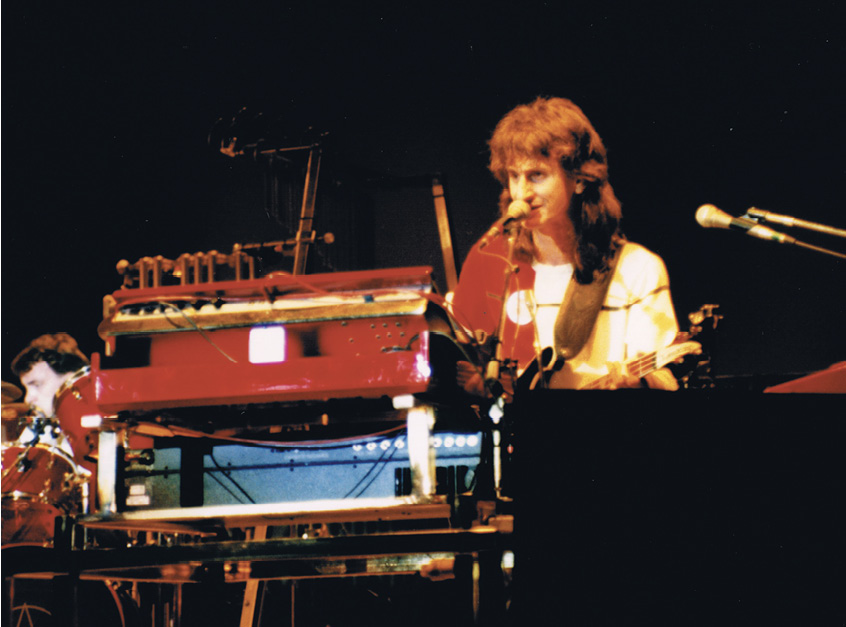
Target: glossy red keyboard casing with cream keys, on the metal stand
point(280, 338)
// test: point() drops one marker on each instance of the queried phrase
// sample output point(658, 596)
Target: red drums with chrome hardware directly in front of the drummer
point(41, 479)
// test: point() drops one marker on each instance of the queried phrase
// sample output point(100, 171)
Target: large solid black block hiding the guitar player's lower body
point(694, 513)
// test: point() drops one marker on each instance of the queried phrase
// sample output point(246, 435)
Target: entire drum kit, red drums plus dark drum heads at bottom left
point(43, 480)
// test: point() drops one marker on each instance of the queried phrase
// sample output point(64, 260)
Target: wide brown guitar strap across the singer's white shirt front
point(578, 311)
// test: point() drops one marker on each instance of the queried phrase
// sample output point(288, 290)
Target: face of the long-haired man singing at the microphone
point(547, 188)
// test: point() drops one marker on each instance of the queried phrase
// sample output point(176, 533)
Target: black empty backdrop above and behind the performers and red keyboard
point(109, 110)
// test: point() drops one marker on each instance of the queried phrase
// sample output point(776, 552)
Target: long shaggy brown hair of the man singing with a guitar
point(557, 128)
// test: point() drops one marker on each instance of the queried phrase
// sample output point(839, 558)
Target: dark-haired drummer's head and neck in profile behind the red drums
point(43, 367)
